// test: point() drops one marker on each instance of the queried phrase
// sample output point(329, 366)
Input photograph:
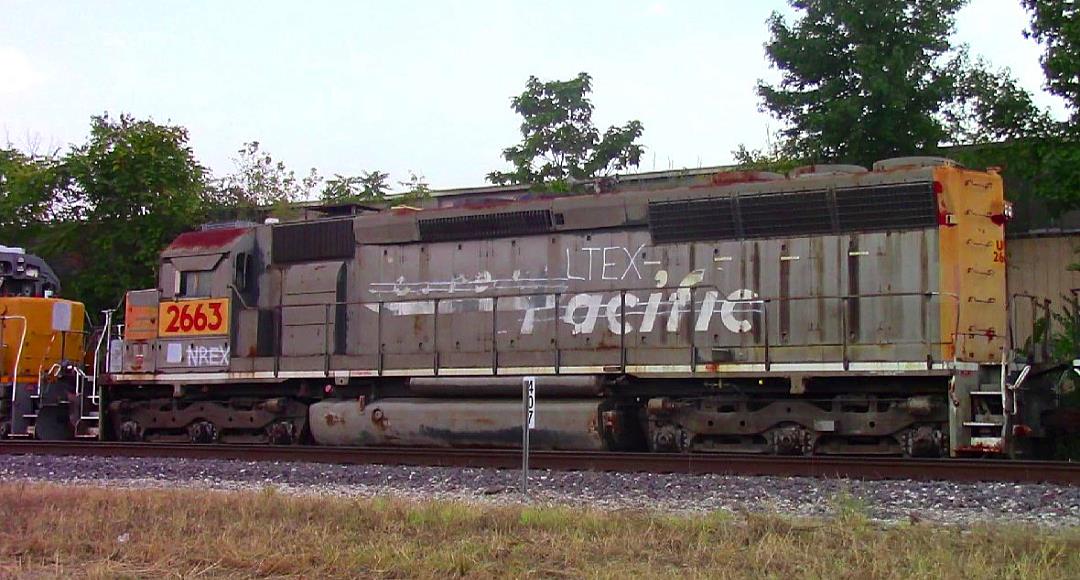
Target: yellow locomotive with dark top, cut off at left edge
point(46, 392)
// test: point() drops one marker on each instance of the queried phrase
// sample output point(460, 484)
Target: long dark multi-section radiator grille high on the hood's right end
point(900, 207)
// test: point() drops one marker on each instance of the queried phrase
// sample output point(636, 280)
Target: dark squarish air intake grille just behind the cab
point(314, 242)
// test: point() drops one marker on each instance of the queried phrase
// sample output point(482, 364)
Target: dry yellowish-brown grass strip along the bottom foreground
point(78, 532)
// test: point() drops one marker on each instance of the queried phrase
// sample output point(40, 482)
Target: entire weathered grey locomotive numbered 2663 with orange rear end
point(838, 311)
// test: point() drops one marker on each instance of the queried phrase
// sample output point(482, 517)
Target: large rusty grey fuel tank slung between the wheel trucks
point(435, 423)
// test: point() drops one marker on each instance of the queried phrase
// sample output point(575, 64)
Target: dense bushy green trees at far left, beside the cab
point(104, 210)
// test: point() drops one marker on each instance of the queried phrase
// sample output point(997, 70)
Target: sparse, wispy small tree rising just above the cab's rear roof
point(261, 182)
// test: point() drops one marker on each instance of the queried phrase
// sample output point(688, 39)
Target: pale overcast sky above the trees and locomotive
point(347, 87)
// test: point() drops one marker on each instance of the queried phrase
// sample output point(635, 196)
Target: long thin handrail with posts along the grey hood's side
point(762, 308)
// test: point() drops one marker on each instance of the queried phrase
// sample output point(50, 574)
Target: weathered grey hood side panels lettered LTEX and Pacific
point(570, 291)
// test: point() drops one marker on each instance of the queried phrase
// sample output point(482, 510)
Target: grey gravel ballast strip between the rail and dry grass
point(894, 501)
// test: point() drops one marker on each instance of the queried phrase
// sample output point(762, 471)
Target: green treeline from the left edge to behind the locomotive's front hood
point(102, 212)
